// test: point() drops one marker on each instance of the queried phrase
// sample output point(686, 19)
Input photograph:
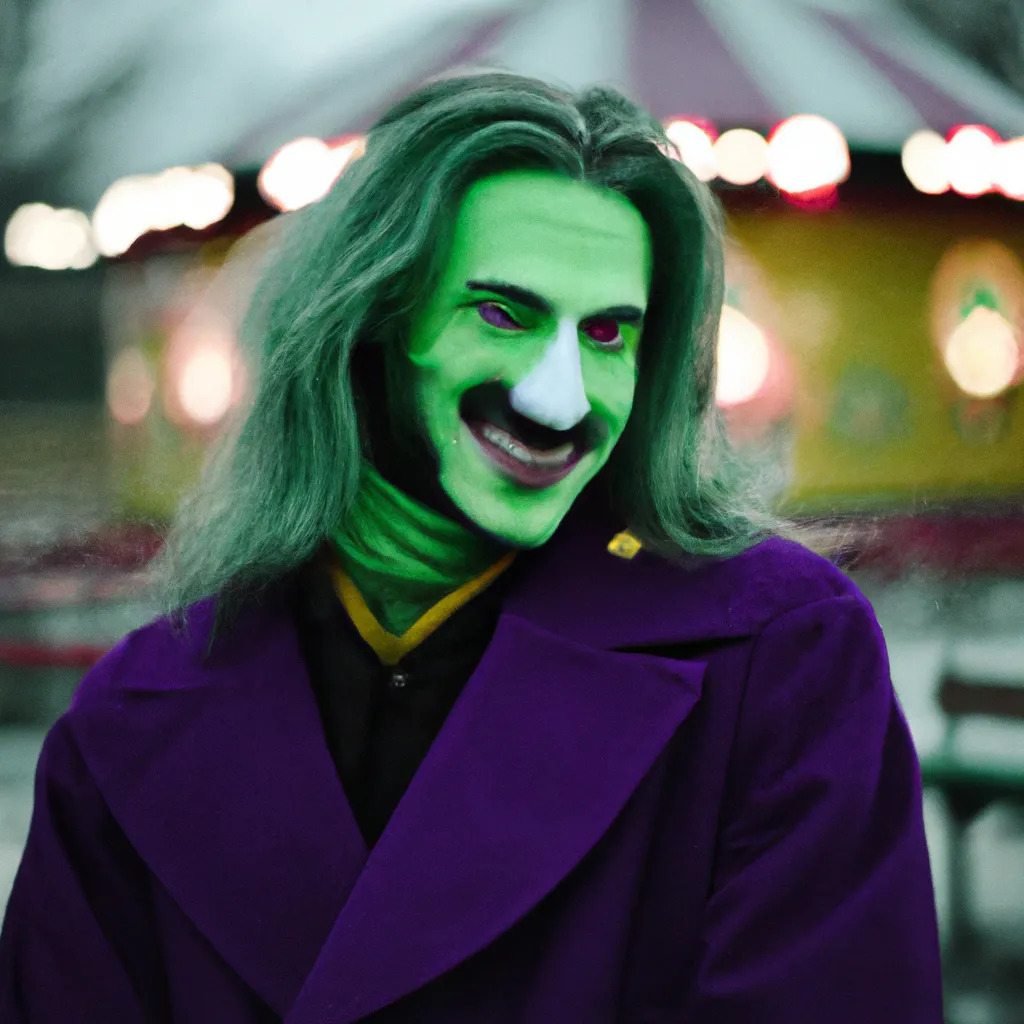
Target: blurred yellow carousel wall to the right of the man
point(851, 290)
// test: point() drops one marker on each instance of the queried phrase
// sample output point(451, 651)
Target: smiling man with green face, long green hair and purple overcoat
point(438, 744)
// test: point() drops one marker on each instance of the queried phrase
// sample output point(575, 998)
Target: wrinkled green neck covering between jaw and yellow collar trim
point(404, 558)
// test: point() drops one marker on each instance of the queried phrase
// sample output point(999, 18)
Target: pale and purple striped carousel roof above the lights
point(220, 80)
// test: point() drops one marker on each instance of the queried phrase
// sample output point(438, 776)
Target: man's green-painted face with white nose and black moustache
point(527, 354)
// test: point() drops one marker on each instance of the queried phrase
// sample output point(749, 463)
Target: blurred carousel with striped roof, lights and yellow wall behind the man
point(873, 331)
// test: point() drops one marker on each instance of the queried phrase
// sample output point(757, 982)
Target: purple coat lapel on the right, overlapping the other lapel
point(542, 751)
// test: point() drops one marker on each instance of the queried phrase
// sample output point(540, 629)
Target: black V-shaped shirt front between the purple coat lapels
point(380, 721)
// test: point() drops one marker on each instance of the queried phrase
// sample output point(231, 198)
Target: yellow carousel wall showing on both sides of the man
point(846, 294)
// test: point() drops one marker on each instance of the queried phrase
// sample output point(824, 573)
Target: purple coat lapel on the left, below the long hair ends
point(218, 772)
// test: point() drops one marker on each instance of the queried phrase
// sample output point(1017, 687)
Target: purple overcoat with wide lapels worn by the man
point(598, 835)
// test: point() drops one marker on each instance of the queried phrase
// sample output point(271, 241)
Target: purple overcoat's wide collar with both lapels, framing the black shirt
point(218, 771)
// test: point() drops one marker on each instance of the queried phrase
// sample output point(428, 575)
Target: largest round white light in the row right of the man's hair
point(807, 153)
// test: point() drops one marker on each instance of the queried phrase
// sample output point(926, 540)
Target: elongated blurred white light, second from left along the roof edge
point(191, 197)
